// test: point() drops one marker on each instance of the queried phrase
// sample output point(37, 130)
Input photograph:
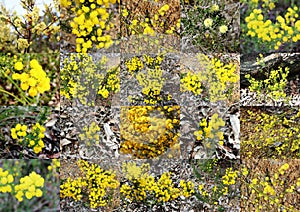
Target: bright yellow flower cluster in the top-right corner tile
point(285, 29)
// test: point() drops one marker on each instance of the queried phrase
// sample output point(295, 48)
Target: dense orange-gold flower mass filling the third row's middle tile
point(148, 131)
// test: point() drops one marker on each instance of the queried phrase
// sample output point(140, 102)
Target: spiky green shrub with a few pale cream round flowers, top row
point(210, 25)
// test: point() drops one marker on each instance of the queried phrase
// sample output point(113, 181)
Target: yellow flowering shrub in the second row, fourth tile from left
point(215, 82)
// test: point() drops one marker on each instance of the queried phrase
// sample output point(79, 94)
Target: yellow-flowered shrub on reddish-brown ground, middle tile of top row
point(150, 26)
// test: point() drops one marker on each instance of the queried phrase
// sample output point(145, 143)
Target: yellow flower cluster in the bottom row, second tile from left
point(96, 184)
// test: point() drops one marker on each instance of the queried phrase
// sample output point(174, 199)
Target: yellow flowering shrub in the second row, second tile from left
point(83, 79)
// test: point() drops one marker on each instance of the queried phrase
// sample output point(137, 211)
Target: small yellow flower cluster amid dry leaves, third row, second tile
point(90, 134)
